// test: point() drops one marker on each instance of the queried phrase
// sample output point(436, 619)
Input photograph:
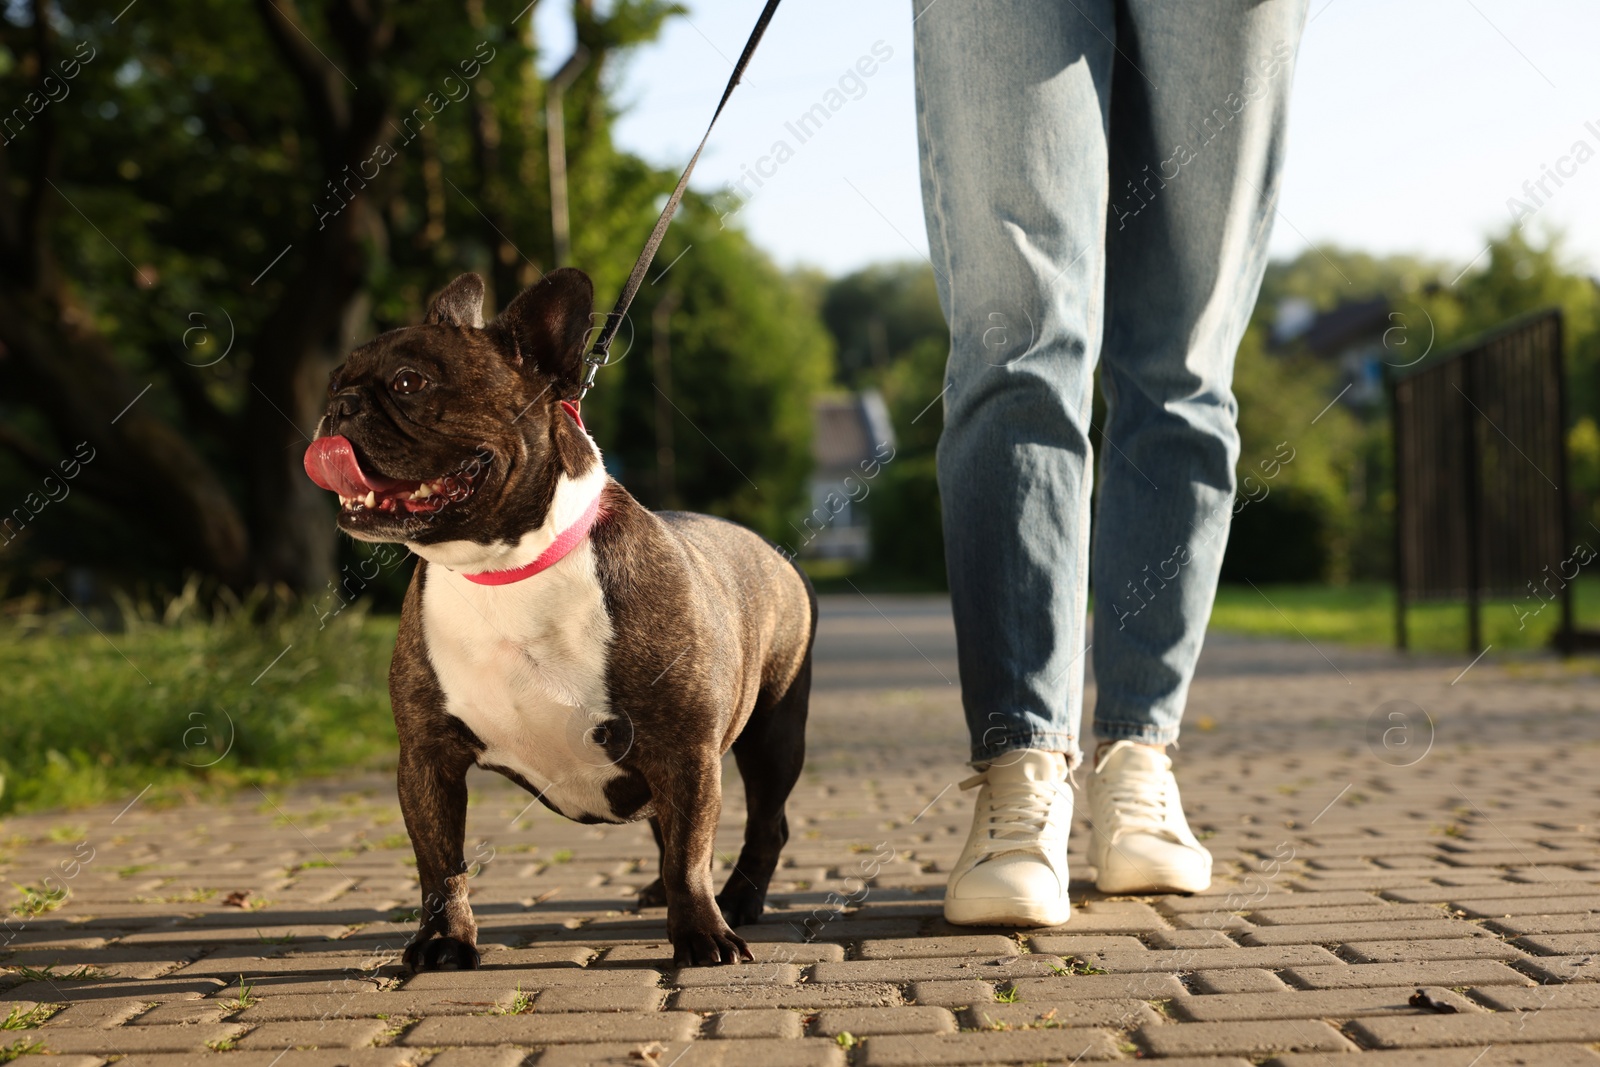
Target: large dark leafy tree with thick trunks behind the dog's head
point(276, 183)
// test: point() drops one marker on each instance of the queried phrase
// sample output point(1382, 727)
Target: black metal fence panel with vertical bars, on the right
point(1481, 474)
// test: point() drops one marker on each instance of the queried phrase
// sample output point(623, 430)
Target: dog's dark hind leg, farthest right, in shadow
point(770, 754)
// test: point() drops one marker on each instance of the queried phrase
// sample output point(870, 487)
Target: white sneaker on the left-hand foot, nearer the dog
point(1014, 871)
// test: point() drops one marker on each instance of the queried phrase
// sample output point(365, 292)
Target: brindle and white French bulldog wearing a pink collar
point(599, 655)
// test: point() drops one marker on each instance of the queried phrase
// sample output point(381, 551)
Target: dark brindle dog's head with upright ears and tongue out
point(454, 430)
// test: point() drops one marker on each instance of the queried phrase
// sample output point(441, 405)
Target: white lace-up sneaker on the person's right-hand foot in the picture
point(1140, 841)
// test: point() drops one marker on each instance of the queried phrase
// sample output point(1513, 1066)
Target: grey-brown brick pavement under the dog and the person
point(1406, 885)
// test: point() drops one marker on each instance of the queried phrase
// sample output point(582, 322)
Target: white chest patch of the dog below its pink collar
point(524, 666)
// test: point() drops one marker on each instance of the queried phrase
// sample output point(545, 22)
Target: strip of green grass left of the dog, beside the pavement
point(257, 695)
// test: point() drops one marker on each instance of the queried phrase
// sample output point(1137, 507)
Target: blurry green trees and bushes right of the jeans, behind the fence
point(1330, 514)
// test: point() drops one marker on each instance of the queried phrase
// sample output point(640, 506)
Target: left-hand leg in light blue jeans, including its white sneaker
point(1012, 121)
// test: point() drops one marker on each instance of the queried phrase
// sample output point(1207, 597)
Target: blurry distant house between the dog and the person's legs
point(847, 433)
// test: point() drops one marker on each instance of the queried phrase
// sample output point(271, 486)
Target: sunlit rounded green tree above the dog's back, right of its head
point(746, 353)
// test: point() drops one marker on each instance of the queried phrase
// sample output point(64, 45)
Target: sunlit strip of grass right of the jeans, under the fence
point(1364, 613)
